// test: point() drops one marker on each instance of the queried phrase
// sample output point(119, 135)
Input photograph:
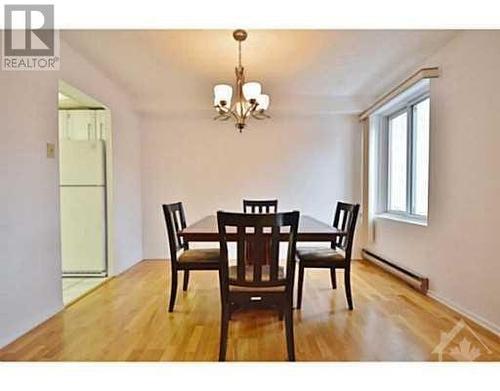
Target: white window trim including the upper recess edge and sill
point(403, 102)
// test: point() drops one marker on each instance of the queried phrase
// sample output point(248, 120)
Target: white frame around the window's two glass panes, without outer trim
point(408, 108)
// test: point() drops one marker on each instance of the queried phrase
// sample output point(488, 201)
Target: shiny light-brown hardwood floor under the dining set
point(126, 319)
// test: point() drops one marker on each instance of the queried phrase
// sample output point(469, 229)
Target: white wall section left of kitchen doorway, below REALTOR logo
point(30, 284)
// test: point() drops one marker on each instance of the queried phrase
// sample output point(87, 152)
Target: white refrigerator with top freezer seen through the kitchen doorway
point(83, 206)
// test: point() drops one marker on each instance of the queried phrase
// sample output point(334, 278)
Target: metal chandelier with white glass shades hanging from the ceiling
point(249, 101)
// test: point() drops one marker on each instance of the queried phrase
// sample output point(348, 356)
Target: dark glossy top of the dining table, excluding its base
point(310, 229)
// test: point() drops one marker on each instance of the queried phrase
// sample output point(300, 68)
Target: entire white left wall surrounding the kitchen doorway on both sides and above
point(30, 277)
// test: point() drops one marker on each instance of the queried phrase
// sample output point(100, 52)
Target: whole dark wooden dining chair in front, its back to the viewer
point(256, 284)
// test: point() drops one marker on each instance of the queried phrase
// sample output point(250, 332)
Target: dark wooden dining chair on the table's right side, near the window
point(338, 256)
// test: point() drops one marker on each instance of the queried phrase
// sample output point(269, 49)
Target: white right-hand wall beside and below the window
point(457, 250)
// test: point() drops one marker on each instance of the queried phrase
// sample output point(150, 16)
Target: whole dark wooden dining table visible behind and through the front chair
point(309, 230)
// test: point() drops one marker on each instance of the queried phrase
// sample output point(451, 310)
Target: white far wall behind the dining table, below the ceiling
point(308, 163)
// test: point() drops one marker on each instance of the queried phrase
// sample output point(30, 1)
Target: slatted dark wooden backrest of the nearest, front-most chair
point(262, 232)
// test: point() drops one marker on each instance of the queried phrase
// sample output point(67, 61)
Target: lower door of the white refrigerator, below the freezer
point(83, 229)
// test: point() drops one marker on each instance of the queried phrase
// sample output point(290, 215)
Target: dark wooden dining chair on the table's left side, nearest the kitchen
point(189, 259)
